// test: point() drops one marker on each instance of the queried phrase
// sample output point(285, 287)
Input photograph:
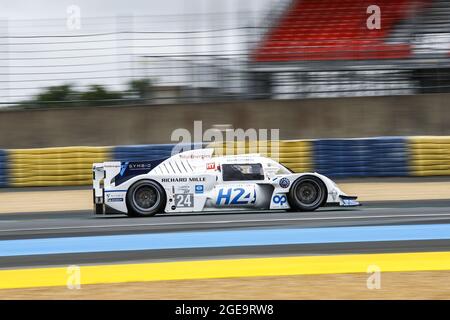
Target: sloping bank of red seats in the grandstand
point(335, 30)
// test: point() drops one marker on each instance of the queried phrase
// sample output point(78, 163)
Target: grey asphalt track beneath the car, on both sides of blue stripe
point(47, 225)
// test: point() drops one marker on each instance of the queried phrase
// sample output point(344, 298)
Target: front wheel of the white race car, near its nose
point(307, 193)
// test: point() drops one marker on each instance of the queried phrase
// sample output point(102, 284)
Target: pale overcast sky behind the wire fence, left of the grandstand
point(31, 63)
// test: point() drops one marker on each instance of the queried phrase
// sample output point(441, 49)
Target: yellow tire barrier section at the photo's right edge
point(429, 156)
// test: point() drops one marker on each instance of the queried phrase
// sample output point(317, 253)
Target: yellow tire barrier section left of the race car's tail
point(64, 166)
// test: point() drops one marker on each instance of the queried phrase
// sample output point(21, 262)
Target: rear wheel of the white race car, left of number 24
point(145, 198)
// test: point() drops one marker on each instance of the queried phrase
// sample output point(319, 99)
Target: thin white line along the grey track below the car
point(231, 221)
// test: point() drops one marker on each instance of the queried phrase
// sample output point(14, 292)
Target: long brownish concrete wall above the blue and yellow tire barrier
point(296, 119)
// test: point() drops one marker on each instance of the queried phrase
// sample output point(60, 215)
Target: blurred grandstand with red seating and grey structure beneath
point(324, 48)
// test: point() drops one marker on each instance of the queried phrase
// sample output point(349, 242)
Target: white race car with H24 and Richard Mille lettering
point(195, 181)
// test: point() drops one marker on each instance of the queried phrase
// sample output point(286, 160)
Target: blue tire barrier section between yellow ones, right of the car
point(371, 157)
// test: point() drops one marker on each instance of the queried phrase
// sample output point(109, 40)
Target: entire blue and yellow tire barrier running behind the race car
point(367, 157)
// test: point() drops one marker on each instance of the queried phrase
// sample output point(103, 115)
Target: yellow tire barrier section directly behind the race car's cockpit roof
point(294, 154)
